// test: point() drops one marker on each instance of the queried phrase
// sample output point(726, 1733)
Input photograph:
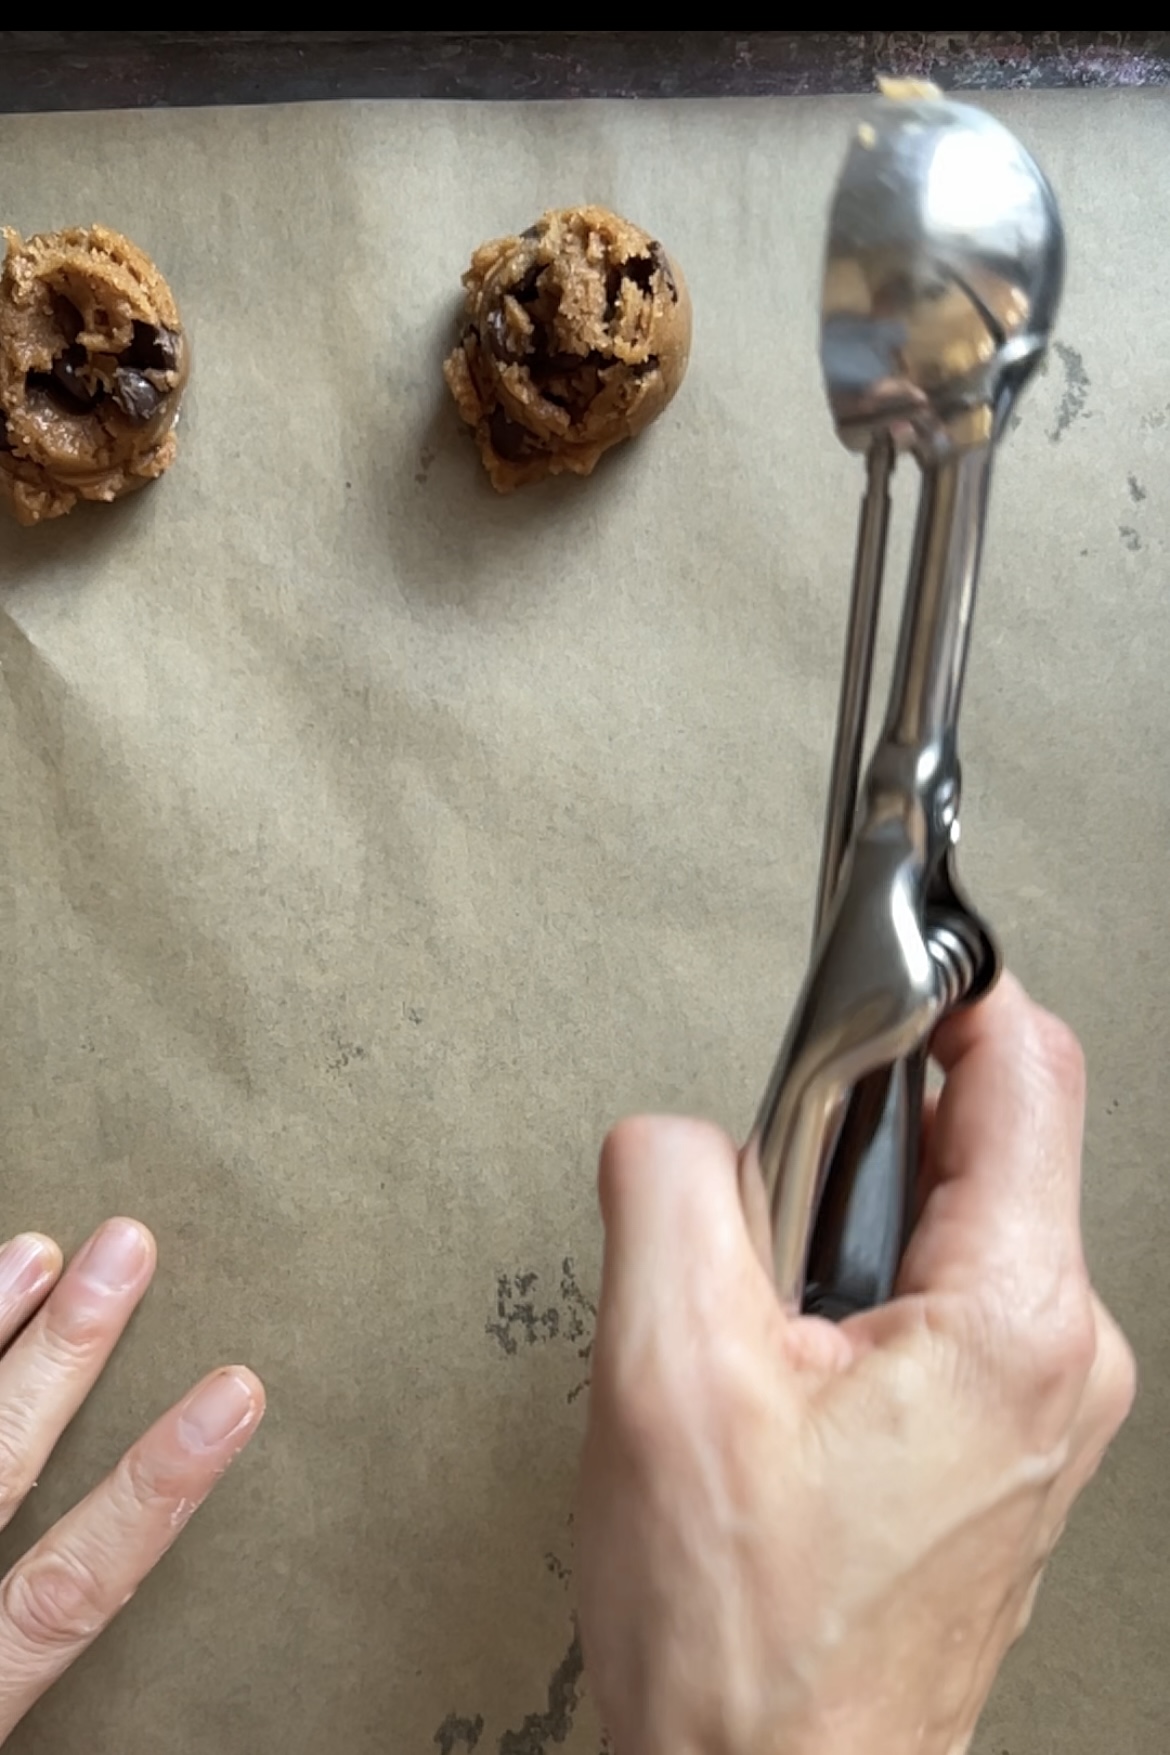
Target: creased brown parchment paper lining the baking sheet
point(369, 843)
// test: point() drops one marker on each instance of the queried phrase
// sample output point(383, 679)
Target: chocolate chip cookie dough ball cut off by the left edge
point(92, 371)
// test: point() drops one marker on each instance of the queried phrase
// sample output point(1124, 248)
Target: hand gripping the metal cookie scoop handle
point(806, 1538)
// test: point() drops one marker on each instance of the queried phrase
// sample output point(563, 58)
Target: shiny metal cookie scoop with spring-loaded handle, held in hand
point(941, 285)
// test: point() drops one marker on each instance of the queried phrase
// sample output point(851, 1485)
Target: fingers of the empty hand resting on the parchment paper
point(75, 1580)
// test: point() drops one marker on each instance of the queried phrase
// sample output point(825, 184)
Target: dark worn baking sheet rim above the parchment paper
point(76, 71)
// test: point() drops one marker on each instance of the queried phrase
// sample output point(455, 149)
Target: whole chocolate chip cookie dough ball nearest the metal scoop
point(576, 336)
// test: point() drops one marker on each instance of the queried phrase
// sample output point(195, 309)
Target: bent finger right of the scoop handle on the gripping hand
point(1004, 1168)
